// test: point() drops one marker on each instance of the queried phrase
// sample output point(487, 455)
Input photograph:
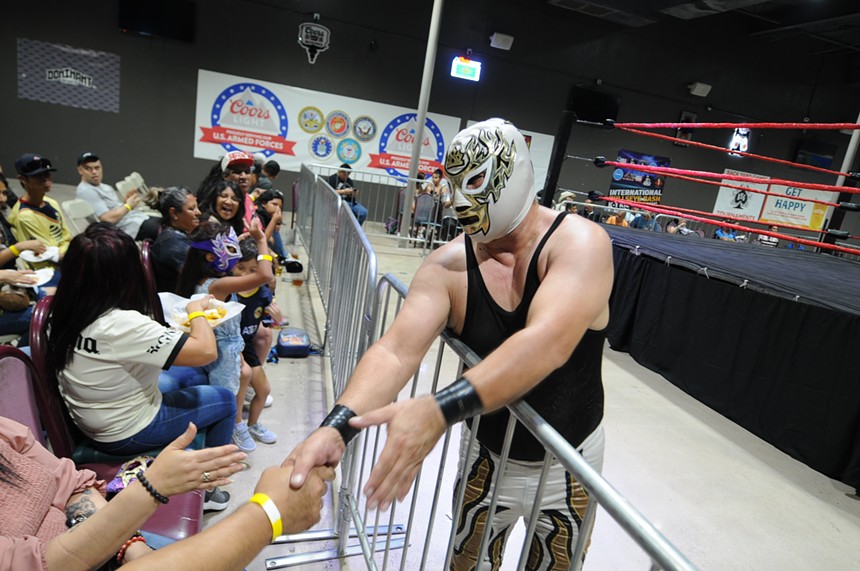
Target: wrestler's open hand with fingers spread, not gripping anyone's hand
point(414, 427)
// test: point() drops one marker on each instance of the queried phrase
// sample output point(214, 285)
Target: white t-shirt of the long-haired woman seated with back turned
point(111, 385)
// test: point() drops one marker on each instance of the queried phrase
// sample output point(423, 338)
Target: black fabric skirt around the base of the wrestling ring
point(784, 370)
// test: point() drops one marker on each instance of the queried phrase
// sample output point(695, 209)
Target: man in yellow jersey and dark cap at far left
point(36, 216)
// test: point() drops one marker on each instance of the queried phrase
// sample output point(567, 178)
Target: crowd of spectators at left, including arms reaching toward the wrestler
point(133, 385)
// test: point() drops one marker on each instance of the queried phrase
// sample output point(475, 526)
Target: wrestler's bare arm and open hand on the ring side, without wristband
point(578, 265)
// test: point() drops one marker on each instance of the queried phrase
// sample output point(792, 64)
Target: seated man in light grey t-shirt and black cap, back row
point(106, 204)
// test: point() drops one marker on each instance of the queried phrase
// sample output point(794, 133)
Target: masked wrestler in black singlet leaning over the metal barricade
point(497, 286)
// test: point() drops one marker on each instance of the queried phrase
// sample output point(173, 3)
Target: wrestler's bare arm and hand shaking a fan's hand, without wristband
point(387, 365)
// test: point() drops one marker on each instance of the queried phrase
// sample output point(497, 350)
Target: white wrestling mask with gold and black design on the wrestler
point(495, 205)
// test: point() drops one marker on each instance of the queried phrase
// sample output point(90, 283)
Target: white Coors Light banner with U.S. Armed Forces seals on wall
point(294, 126)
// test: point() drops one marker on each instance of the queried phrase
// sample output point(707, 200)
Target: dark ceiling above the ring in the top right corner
point(828, 26)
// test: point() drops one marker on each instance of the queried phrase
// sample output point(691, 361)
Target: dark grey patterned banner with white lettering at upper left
point(66, 75)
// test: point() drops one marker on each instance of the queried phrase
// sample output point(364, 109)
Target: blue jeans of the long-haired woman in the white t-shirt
point(212, 408)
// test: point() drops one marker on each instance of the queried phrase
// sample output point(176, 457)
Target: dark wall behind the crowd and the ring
point(650, 67)
